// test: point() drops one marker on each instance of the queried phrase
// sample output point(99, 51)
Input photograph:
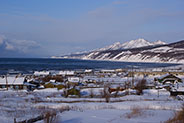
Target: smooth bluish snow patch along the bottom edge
point(114, 116)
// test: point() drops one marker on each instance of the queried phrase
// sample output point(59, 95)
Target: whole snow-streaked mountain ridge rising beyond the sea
point(139, 50)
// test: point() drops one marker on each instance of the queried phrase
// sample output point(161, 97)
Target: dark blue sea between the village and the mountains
point(28, 65)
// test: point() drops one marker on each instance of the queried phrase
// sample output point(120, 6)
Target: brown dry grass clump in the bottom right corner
point(178, 117)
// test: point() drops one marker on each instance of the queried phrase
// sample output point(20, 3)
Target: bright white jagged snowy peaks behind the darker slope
point(132, 44)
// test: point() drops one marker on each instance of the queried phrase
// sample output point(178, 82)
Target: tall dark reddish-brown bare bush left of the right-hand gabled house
point(140, 86)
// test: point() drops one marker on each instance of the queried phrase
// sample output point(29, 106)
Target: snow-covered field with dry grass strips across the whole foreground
point(151, 107)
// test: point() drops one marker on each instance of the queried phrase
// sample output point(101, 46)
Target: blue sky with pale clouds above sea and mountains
point(44, 28)
